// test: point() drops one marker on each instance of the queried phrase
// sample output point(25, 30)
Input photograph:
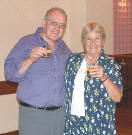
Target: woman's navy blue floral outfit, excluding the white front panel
point(99, 116)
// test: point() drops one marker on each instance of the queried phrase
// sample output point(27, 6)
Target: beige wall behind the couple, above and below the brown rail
point(22, 17)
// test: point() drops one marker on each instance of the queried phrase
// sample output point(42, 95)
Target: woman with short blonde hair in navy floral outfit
point(91, 97)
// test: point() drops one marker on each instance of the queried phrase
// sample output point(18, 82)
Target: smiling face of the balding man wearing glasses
point(54, 26)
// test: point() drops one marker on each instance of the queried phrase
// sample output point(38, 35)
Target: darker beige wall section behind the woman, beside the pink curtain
point(101, 11)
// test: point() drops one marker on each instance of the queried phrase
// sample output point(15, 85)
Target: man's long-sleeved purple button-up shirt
point(43, 83)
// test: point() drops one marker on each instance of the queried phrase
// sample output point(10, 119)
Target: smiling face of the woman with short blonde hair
point(93, 43)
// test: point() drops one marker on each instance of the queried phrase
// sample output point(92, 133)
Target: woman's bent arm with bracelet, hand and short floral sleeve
point(112, 86)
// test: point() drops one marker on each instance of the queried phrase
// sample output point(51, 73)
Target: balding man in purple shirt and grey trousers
point(40, 79)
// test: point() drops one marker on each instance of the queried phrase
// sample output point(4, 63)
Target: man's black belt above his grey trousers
point(50, 108)
